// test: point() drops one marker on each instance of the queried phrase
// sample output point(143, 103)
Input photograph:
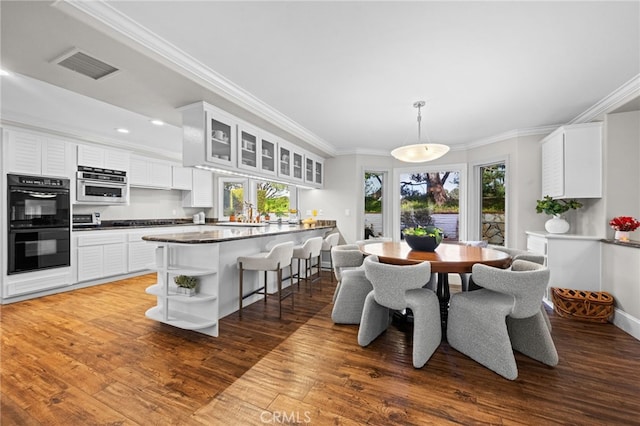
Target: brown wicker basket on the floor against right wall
point(593, 306)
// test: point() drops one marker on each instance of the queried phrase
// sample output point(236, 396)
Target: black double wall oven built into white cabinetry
point(38, 223)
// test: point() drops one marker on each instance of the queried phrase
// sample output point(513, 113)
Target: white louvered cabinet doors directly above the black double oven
point(35, 154)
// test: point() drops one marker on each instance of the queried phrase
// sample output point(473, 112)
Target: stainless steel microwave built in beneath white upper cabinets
point(101, 186)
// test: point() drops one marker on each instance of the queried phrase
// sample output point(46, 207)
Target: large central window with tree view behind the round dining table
point(431, 198)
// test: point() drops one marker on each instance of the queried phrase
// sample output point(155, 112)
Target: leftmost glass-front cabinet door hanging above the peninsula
point(220, 135)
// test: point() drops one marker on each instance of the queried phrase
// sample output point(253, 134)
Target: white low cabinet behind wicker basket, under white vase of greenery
point(573, 260)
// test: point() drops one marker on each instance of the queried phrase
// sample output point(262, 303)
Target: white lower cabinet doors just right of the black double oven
point(101, 254)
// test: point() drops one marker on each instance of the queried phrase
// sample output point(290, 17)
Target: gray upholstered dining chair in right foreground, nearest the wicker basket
point(505, 315)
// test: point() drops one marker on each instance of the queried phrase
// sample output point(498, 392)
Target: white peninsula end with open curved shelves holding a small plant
point(198, 312)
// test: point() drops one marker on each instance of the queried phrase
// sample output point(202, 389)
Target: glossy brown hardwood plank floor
point(91, 357)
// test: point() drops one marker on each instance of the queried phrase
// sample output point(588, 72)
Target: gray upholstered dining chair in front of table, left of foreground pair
point(396, 288)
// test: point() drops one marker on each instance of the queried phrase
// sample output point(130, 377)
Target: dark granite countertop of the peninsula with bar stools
point(230, 233)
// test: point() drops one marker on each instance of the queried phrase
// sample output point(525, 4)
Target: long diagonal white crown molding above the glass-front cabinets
point(142, 39)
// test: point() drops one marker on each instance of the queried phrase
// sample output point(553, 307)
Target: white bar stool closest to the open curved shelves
point(278, 258)
